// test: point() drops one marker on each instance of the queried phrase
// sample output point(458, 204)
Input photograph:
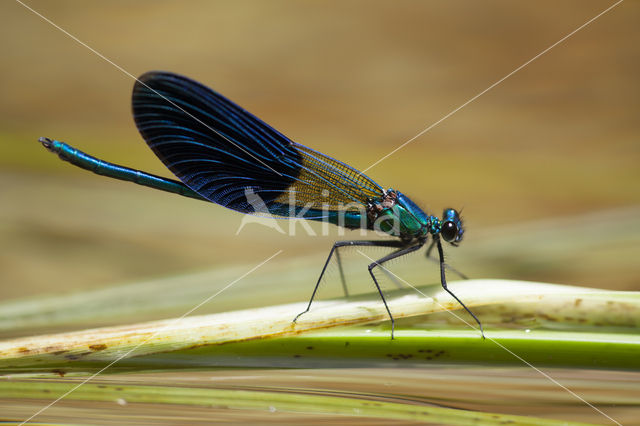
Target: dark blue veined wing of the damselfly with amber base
point(230, 157)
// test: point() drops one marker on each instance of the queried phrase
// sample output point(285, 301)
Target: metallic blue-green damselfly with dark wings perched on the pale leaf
point(222, 154)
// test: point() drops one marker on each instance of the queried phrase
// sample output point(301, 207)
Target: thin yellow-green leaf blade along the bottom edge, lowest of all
point(290, 401)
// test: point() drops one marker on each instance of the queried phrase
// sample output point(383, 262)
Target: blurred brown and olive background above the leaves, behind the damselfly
point(545, 165)
